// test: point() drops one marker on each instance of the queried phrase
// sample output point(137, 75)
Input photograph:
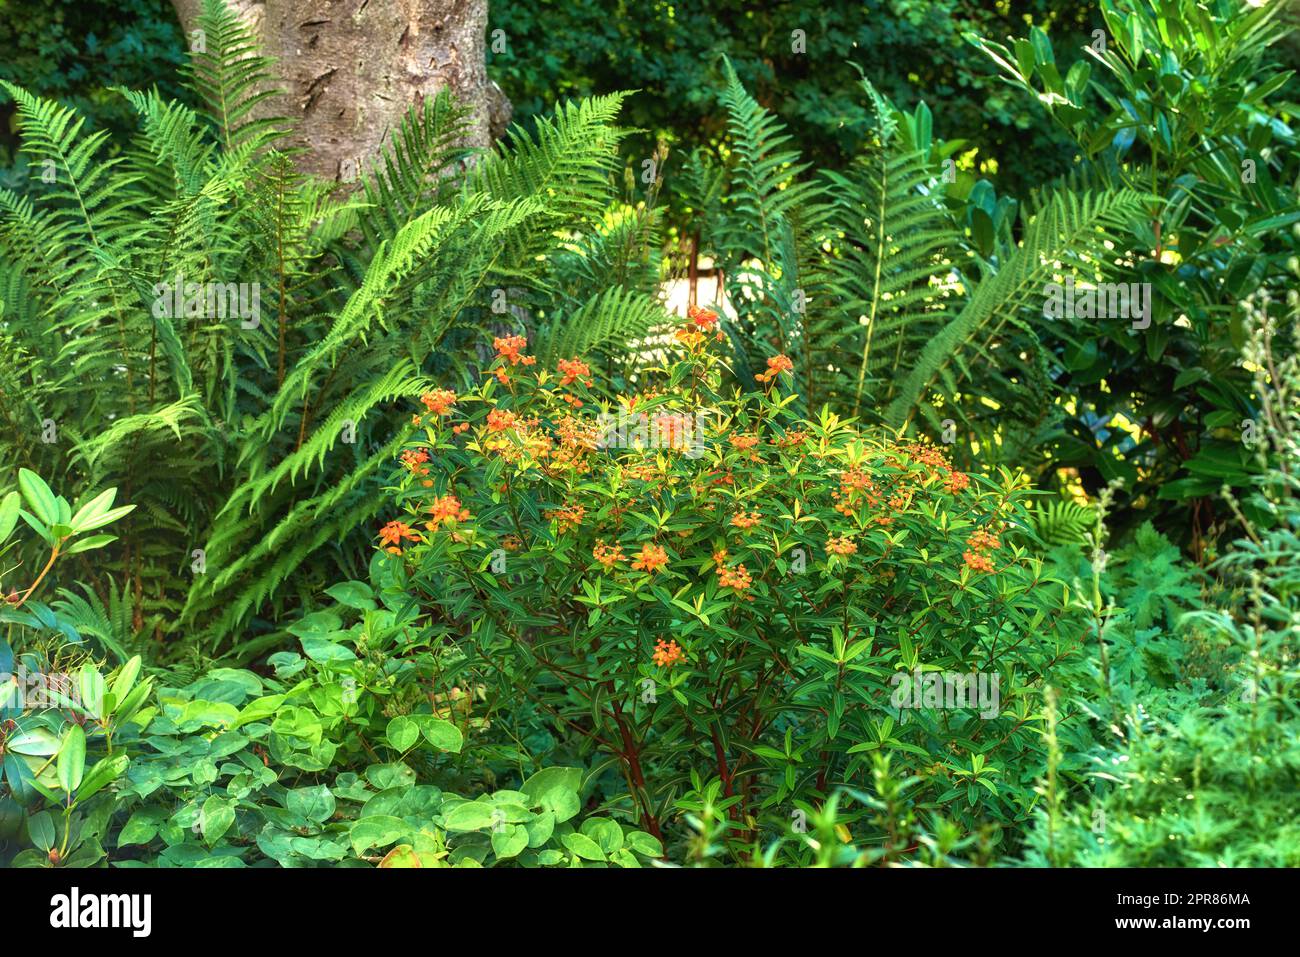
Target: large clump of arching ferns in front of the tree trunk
point(231, 343)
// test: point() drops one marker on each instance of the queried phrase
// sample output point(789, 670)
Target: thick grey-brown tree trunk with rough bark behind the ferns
point(353, 68)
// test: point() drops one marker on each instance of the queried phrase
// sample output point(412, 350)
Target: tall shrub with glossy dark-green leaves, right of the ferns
point(1184, 102)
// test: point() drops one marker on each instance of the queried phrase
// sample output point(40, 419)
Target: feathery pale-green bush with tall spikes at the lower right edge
point(1207, 773)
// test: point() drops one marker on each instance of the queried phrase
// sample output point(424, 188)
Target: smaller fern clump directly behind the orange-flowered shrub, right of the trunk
point(869, 279)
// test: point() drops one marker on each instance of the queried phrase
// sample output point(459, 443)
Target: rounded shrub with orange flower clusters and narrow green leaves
point(740, 608)
